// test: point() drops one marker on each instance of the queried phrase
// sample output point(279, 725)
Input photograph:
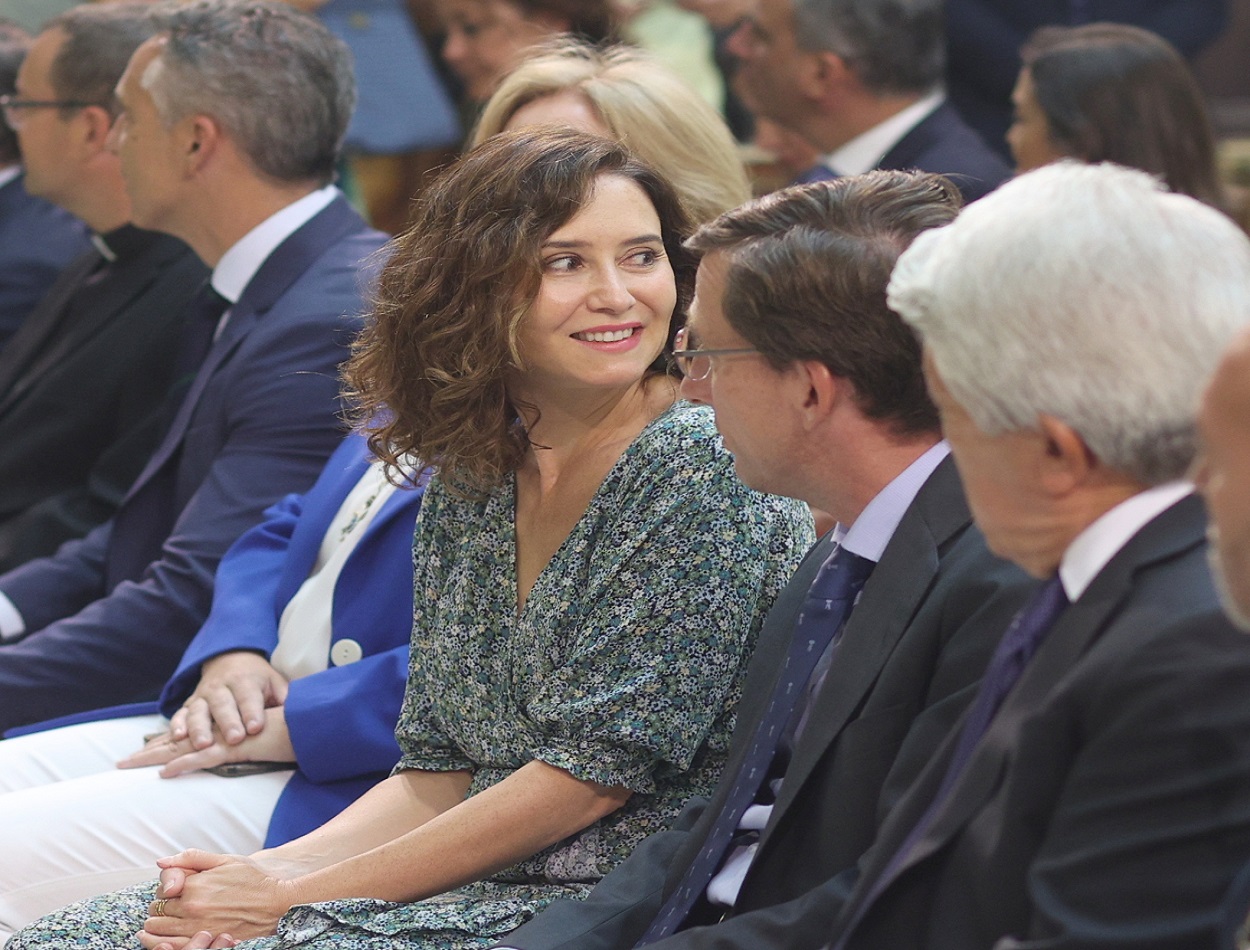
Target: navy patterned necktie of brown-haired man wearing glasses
point(824, 614)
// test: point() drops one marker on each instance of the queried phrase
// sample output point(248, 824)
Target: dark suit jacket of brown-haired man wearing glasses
point(911, 657)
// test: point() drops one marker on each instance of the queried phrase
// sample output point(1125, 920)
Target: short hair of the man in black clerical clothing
point(99, 42)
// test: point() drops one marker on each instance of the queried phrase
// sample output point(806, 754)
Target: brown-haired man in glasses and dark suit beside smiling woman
point(819, 394)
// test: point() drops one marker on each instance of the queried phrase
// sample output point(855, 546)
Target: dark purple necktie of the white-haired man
point(1013, 654)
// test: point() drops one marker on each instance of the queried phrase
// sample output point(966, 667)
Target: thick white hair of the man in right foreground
point(1086, 293)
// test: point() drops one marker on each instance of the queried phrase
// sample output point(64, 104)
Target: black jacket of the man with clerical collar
point(82, 388)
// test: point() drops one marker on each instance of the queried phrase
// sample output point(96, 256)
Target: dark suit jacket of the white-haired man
point(1109, 803)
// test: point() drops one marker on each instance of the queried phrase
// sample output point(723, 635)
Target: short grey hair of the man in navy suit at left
point(276, 79)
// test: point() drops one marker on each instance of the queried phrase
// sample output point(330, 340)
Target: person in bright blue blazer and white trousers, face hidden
point(304, 658)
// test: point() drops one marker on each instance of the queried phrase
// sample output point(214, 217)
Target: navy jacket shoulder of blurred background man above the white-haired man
point(946, 144)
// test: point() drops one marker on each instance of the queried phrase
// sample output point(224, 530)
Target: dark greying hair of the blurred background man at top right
point(892, 46)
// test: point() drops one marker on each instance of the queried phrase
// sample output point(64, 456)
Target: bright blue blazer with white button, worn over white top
point(342, 721)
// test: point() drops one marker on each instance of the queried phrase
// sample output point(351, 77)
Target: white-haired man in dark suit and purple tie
point(1098, 793)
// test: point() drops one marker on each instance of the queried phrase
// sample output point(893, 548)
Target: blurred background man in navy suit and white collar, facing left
point(862, 82)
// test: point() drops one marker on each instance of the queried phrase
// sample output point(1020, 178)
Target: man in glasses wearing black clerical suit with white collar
point(83, 381)
